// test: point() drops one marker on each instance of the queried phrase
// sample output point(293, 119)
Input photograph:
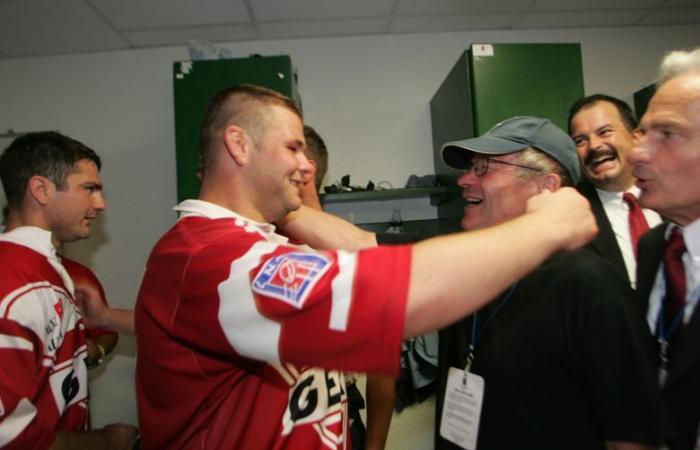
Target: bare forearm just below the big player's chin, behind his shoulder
point(325, 231)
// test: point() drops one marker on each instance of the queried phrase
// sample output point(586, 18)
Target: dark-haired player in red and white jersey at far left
point(54, 193)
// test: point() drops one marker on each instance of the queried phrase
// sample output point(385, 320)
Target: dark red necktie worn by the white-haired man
point(674, 272)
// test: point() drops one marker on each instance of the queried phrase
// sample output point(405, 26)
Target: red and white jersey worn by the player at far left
point(43, 378)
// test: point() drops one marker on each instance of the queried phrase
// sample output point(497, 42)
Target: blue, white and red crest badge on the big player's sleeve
point(291, 277)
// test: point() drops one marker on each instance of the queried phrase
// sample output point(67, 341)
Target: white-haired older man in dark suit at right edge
point(666, 160)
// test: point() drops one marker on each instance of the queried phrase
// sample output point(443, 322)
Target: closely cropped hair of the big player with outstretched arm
point(243, 105)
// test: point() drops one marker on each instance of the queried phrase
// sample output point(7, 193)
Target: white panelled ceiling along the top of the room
point(50, 27)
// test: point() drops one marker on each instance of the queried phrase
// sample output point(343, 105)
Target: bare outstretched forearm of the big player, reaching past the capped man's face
point(455, 275)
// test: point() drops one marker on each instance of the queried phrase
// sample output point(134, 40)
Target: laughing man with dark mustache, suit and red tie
point(602, 126)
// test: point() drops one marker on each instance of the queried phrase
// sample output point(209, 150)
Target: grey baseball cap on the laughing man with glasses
point(512, 135)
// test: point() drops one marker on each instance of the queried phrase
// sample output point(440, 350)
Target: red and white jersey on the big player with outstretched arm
point(232, 323)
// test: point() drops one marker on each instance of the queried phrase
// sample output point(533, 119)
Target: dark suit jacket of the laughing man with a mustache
point(605, 243)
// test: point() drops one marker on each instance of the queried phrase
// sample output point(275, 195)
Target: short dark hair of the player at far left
point(48, 154)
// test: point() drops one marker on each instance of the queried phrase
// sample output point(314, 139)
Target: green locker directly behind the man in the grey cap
point(492, 82)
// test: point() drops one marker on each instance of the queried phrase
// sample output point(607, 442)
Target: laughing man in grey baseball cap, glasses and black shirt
point(562, 357)
